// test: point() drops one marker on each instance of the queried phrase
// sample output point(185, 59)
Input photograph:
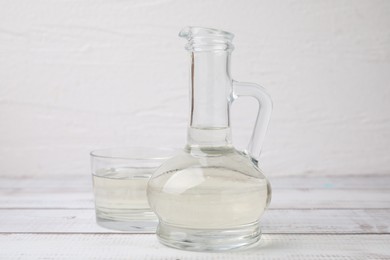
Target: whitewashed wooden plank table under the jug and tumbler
point(309, 218)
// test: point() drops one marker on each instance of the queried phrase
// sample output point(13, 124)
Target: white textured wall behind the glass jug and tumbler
point(77, 75)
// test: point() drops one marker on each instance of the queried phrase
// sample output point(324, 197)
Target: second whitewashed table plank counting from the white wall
point(281, 198)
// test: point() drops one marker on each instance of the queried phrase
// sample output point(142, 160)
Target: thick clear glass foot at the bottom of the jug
point(242, 237)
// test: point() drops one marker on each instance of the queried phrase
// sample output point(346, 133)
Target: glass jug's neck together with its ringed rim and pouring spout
point(210, 86)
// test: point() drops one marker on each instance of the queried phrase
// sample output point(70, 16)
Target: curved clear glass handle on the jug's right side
point(263, 114)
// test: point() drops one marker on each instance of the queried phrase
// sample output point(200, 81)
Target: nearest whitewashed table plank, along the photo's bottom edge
point(125, 246)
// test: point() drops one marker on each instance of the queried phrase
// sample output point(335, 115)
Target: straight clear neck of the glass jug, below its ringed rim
point(210, 93)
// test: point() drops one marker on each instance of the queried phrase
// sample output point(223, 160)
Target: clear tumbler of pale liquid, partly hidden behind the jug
point(120, 177)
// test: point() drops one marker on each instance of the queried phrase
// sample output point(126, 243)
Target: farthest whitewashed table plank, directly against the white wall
point(84, 182)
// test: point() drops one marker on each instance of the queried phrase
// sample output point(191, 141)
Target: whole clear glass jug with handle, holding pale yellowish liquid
point(210, 197)
